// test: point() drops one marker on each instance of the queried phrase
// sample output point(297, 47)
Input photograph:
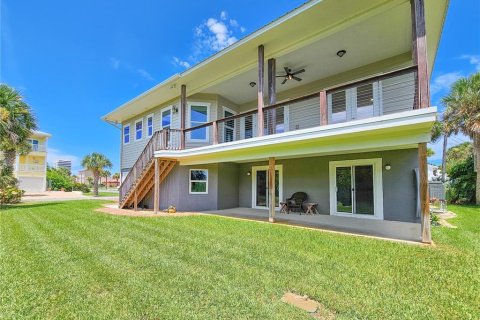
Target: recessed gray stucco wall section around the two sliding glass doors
point(311, 175)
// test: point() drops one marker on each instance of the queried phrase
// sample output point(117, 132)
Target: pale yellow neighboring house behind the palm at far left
point(31, 169)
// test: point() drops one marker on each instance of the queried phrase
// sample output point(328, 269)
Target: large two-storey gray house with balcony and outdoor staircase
point(351, 134)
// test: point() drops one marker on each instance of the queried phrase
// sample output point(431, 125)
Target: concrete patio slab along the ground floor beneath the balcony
point(397, 230)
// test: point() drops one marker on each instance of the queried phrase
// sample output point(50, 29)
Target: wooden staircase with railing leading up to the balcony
point(140, 181)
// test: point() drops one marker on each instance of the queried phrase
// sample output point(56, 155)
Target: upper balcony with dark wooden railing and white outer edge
point(382, 105)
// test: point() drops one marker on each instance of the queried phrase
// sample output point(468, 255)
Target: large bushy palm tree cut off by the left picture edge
point(16, 125)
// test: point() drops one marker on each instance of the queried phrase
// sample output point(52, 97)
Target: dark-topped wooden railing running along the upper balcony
point(388, 93)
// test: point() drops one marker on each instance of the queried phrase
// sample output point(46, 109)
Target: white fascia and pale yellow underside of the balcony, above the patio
point(394, 131)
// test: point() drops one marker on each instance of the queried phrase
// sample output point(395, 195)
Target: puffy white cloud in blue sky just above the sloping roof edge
point(214, 34)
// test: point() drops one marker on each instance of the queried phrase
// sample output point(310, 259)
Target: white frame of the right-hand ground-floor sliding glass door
point(377, 187)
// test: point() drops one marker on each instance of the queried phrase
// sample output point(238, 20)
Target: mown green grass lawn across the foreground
point(64, 260)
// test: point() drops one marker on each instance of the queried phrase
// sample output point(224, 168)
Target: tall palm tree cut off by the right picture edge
point(463, 115)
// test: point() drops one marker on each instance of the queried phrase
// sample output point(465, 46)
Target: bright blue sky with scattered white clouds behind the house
point(74, 61)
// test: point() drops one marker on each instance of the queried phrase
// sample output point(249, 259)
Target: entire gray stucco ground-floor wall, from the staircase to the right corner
point(229, 185)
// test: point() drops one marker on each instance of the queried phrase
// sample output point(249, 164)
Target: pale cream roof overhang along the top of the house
point(309, 23)
